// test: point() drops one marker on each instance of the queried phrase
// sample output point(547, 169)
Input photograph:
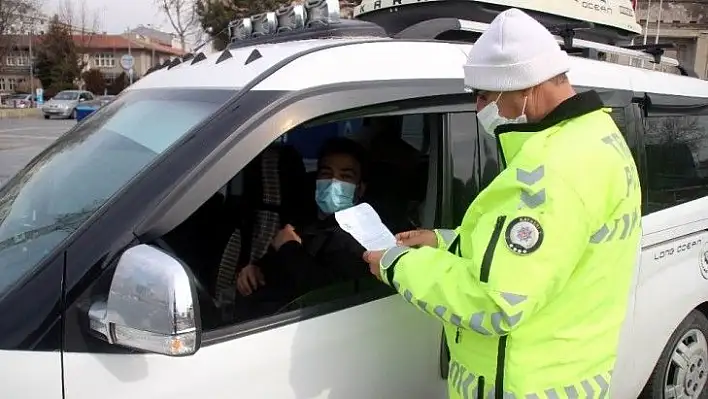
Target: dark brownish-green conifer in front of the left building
point(56, 59)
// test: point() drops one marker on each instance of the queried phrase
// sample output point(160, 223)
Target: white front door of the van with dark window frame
point(356, 341)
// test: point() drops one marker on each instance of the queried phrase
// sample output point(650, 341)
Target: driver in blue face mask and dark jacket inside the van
point(321, 253)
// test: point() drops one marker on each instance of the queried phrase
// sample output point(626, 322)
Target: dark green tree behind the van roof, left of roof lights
point(215, 15)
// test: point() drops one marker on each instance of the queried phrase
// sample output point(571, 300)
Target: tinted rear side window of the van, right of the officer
point(677, 159)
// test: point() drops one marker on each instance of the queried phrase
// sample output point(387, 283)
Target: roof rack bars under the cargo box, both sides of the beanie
point(436, 28)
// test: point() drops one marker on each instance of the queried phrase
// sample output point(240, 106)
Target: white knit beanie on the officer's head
point(516, 52)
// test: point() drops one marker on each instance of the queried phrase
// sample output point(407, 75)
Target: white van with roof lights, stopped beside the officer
point(115, 241)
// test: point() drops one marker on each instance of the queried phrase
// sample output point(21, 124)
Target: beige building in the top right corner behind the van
point(682, 22)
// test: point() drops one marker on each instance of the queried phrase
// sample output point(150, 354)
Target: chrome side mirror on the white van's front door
point(152, 305)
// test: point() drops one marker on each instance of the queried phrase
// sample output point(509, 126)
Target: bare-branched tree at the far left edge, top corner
point(16, 18)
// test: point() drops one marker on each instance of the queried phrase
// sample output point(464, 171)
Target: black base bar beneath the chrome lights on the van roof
point(343, 28)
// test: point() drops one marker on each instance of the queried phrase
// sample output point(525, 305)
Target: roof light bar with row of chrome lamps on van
point(316, 19)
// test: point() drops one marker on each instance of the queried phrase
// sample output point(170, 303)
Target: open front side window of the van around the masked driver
point(396, 189)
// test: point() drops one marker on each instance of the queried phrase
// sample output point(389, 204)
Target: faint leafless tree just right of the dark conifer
point(83, 24)
